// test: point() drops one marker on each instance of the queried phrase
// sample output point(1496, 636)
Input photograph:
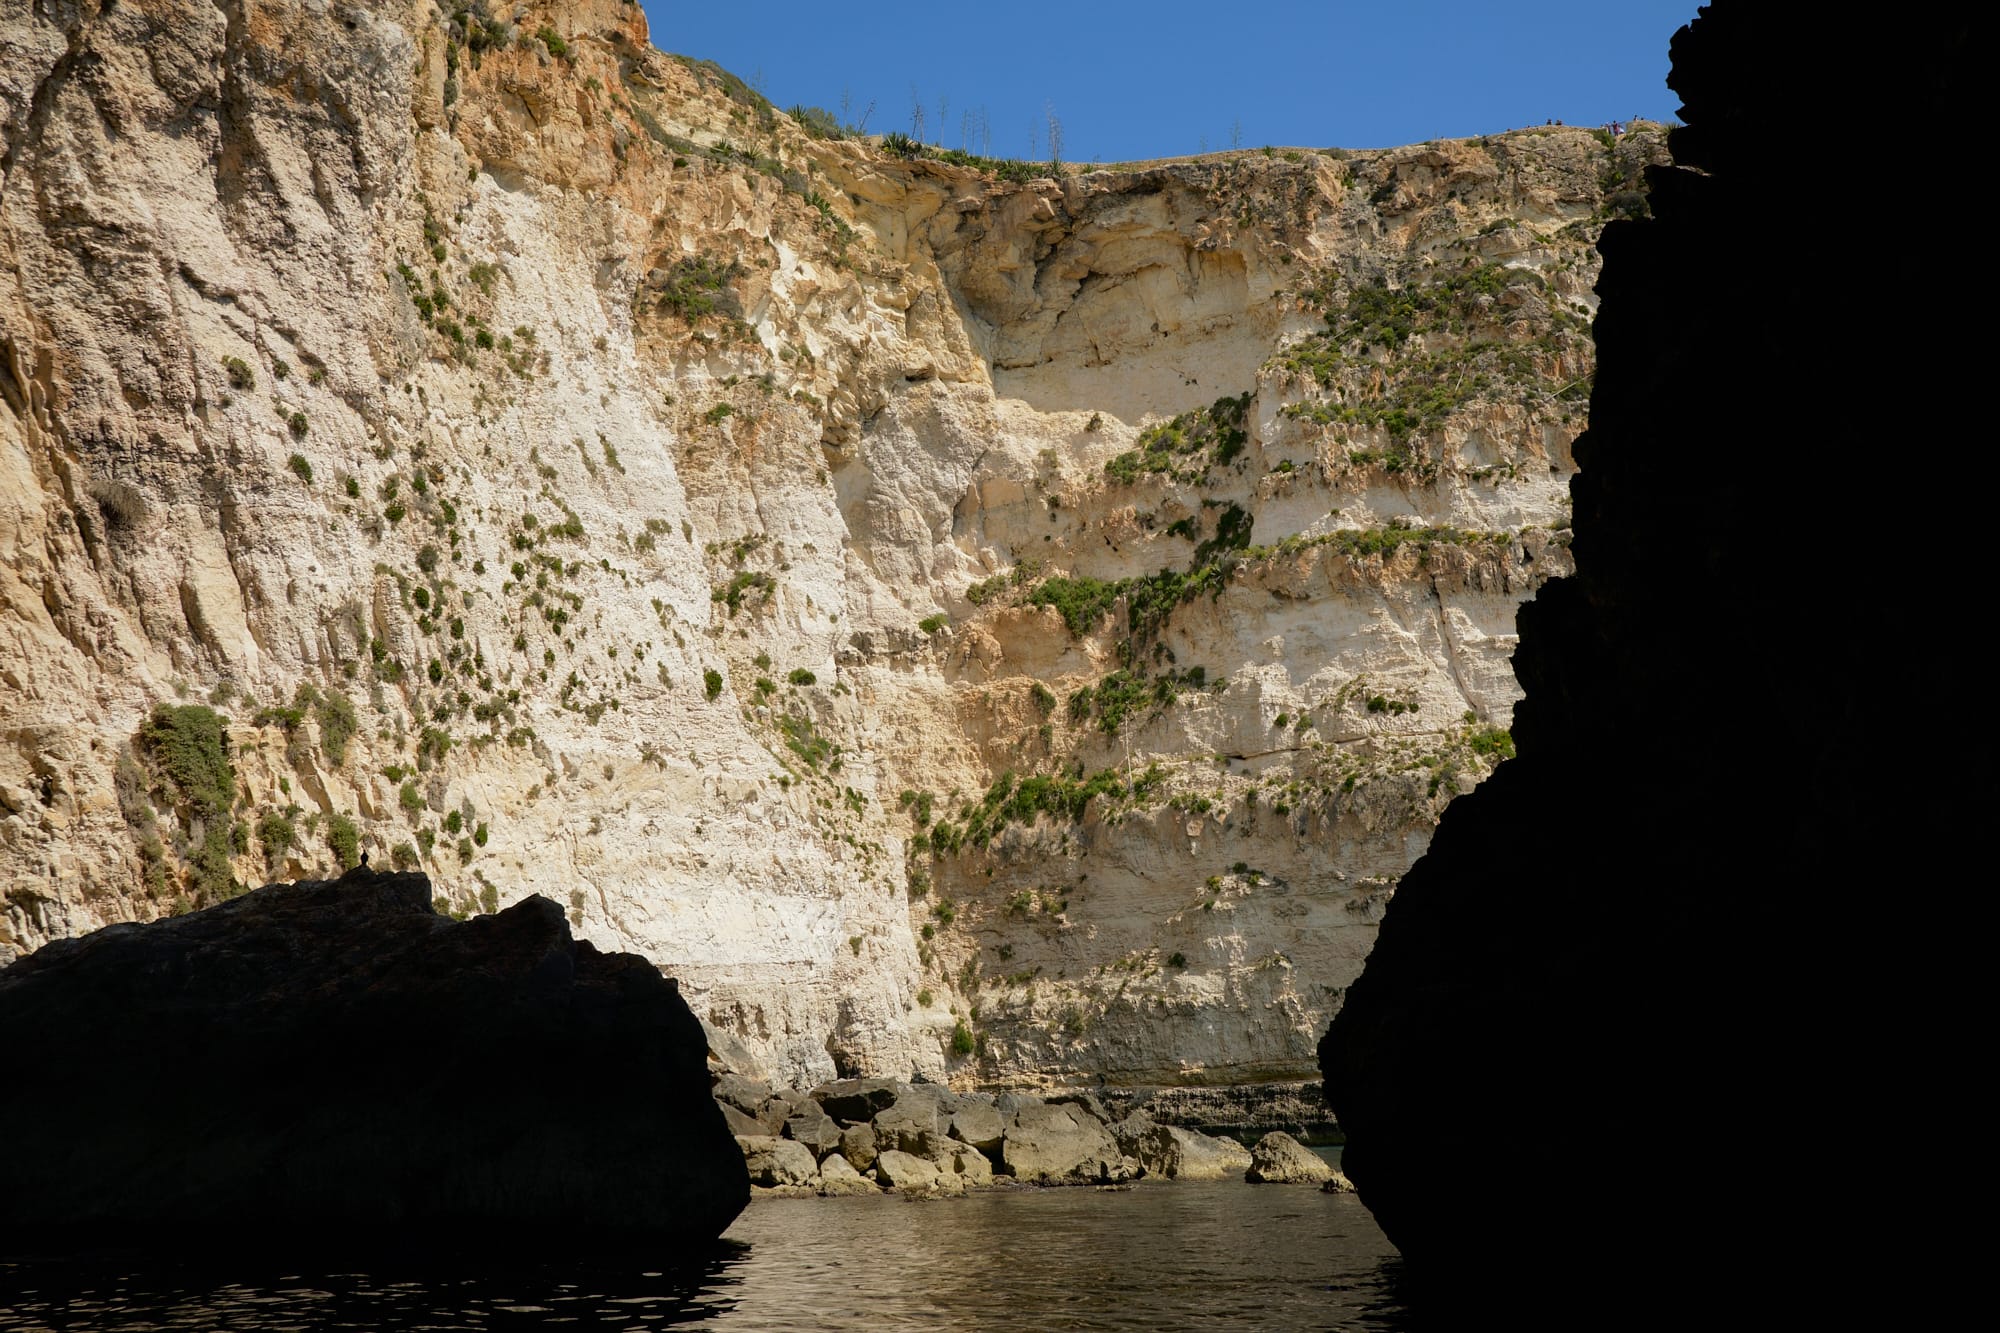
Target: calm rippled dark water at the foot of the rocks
point(1221, 1256)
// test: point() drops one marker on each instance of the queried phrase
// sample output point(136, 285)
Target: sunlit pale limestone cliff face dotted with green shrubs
point(995, 627)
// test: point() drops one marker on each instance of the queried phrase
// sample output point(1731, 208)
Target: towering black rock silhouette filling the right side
point(1617, 1010)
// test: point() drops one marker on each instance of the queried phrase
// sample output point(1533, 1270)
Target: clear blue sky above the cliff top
point(1165, 79)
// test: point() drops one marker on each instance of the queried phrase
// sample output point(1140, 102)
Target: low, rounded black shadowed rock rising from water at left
point(331, 1068)
